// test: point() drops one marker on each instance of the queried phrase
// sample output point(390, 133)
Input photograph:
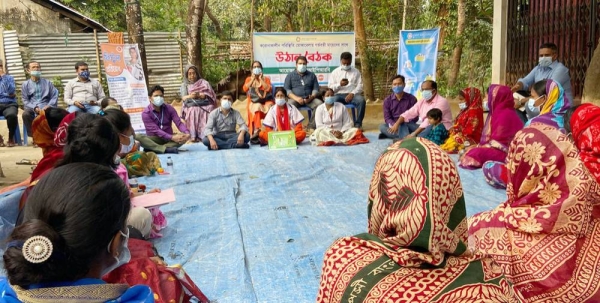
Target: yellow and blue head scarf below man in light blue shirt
point(554, 108)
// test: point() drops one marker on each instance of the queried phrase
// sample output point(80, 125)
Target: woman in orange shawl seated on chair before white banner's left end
point(260, 99)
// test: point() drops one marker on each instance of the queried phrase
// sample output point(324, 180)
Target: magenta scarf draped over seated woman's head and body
point(502, 122)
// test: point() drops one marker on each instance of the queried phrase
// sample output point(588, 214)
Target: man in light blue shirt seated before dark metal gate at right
point(548, 68)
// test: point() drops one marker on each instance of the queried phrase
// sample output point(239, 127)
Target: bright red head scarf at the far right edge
point(585, 128)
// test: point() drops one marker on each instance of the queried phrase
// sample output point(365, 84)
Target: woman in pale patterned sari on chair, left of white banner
point(199, 100)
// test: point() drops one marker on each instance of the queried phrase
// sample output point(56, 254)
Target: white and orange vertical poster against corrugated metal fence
point(125, 76)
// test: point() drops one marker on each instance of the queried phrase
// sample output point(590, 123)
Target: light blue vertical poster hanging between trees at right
point(417, 57)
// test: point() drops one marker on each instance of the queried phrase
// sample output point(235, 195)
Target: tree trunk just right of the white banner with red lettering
point(361, 40)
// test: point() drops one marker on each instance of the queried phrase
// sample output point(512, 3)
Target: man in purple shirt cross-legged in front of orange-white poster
point(157, 118)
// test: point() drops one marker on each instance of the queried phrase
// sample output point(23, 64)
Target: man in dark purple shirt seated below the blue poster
point(395, 105)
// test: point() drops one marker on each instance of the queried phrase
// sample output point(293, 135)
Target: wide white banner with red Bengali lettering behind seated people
point(278, 53)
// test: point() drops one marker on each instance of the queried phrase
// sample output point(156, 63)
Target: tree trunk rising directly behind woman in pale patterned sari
point(193, 33)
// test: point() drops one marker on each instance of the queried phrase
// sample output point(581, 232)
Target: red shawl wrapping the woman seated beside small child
point(468, 123)
